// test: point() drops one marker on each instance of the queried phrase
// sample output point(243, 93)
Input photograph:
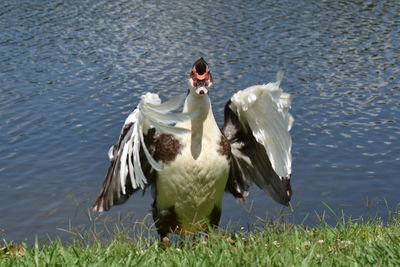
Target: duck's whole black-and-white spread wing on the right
point(257, 124)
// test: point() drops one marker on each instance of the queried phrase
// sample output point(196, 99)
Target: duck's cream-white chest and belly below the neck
point(194, 186)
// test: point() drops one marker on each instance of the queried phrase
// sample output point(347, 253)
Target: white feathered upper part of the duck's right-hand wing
point(265, 109)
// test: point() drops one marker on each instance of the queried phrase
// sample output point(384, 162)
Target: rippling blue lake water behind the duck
point(71, 71)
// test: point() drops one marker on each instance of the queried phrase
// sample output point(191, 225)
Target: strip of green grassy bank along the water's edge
point(368, 243)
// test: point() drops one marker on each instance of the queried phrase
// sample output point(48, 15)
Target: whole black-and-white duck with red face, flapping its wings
point(192, 163)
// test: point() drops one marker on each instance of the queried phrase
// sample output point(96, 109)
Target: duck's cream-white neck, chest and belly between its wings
point(193, 184)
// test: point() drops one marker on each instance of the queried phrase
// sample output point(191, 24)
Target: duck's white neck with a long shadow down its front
point(204, 119)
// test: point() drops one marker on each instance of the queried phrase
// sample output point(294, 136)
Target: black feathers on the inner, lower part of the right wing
point(250, 163)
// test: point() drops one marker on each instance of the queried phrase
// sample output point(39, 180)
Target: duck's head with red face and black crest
point(200, 79)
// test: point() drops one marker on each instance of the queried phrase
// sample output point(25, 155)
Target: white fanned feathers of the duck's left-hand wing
point(150, 113)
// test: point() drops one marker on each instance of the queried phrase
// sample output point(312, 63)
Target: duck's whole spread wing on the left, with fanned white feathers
point(133, 159)
